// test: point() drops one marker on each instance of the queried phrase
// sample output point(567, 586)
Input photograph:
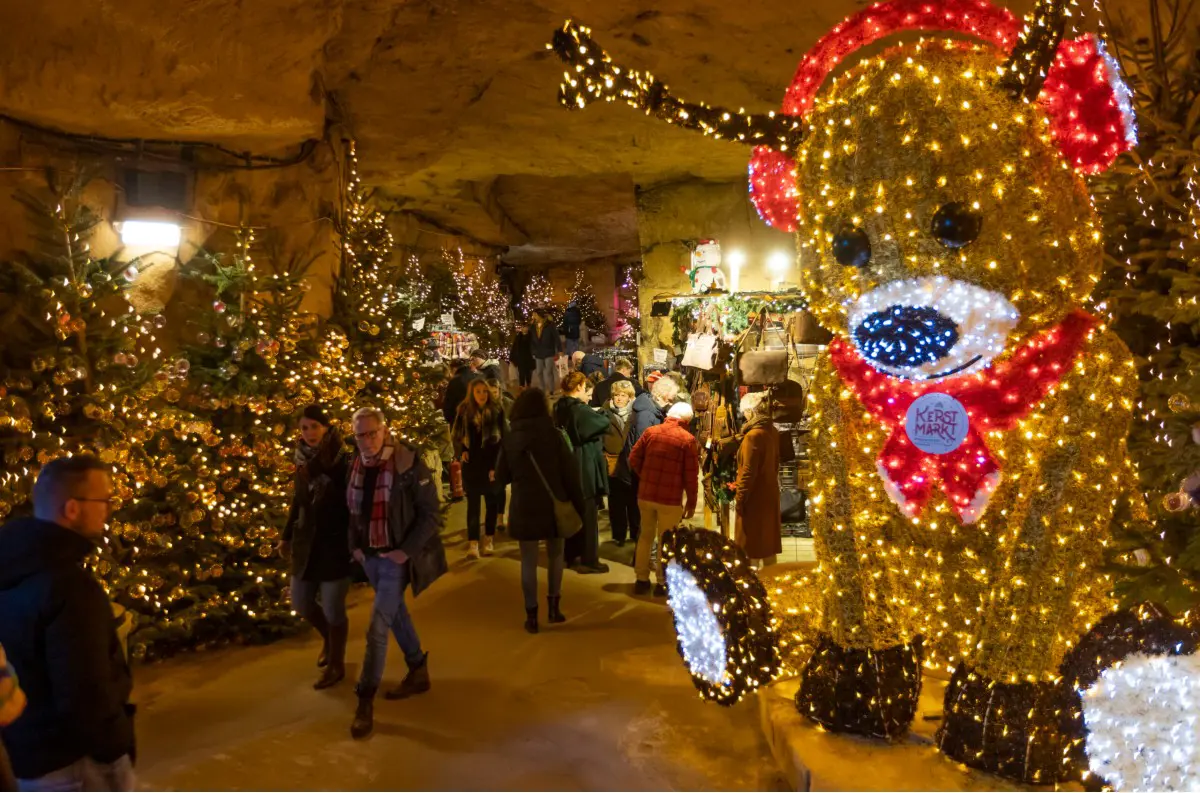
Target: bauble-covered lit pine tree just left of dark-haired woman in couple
point(196, 556)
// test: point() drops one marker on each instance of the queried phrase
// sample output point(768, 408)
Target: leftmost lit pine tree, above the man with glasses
point(81, 369)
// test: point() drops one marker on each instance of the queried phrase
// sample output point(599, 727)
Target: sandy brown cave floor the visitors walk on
point(599, 704)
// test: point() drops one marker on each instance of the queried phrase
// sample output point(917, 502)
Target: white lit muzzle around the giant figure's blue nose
point(983, 320)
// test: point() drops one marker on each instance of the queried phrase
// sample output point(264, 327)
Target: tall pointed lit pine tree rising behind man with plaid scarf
point(371, 350)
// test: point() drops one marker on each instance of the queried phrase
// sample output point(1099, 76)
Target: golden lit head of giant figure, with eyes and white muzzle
point(938, 221)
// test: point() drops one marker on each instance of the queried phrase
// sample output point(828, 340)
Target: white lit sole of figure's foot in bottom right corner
point(1143, 724)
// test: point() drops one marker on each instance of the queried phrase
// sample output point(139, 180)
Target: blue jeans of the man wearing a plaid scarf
point(388, 616)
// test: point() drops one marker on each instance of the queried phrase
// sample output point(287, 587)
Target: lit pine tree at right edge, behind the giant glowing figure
point(1150, 205)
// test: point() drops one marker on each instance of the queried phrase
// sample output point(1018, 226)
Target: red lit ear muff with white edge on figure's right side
point(1090, 106)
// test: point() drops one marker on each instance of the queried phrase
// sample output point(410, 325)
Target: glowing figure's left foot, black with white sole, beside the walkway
point(722, 615)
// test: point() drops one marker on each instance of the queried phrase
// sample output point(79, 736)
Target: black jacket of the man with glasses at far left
point(57, 627)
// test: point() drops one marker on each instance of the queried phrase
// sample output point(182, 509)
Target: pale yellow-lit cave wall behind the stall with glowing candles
point(669, 217)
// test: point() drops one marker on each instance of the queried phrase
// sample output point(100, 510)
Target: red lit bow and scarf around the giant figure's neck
point(995, 400)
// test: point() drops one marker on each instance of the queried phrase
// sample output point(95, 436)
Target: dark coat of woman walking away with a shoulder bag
point(531, 510)
